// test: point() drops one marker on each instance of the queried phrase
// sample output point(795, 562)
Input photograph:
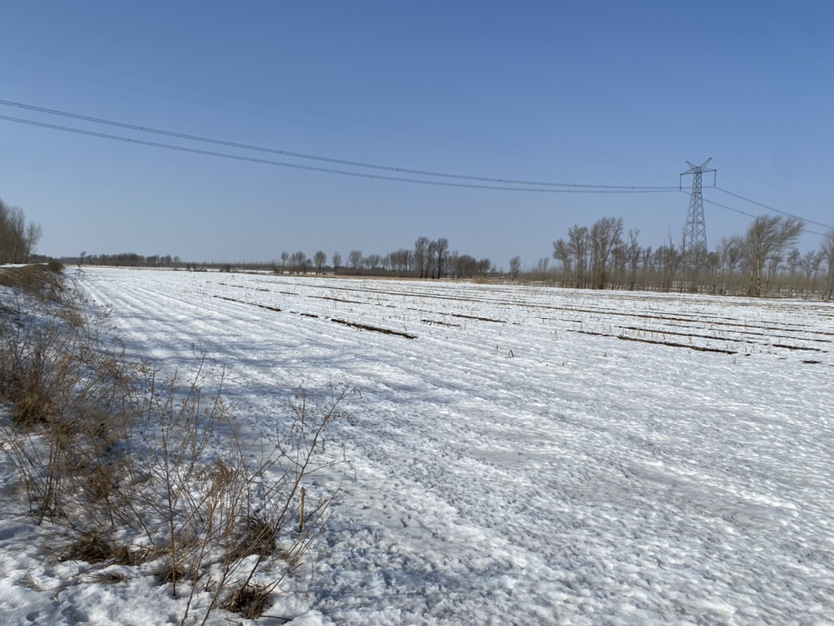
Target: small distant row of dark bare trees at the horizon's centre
point(427, 259)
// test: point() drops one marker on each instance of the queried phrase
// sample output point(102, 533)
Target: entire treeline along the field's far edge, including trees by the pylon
point(762, 262)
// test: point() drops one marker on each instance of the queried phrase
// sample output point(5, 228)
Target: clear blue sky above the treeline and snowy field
point(594, 92)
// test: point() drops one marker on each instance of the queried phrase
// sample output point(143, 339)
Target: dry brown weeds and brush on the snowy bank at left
point(106, 448)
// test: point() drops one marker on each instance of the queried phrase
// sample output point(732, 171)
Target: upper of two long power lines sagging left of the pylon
point(299, 155)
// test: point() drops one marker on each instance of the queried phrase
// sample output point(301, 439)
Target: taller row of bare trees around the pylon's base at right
point(762, 261)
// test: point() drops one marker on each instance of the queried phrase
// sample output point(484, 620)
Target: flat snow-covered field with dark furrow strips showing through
point(518, 455)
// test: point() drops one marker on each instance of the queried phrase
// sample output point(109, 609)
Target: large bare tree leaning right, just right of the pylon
point(766, 239)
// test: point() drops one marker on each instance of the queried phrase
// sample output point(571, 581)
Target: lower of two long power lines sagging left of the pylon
point(247, 159)
